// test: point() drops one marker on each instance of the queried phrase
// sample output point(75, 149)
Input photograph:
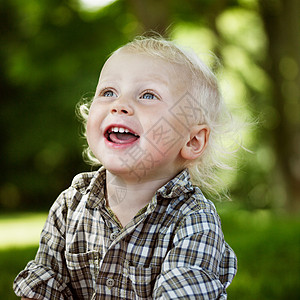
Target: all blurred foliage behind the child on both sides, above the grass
point(51, 53)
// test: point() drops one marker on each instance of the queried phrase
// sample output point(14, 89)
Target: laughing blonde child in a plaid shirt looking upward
point(138, 228)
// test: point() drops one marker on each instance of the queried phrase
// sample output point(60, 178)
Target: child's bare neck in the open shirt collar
point(126, 198)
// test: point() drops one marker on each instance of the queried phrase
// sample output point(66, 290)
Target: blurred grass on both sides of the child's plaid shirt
point(267, 247)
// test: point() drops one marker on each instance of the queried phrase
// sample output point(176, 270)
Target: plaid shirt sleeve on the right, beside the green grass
point(200, 265)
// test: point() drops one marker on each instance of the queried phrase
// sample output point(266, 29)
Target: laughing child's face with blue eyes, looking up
point(131, 128)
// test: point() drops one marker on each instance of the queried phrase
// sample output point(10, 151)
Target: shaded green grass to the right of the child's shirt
point(268, 251)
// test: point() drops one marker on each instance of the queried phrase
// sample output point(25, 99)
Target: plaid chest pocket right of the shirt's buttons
point(143, 280)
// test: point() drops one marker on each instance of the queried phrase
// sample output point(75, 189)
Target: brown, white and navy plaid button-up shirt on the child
point(174, 248)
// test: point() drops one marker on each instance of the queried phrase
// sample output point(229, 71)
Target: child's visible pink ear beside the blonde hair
point(197, 142)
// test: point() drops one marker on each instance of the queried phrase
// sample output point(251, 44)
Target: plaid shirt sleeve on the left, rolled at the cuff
point(46, 276)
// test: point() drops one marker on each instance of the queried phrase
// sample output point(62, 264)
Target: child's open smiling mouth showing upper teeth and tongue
point(120, 135)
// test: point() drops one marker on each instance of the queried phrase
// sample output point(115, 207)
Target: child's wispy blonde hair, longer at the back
point(211, 111)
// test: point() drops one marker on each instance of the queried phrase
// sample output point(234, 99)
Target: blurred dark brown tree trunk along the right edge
point(282, 24)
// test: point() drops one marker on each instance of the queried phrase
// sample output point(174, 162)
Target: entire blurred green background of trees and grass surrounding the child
point(51, 53)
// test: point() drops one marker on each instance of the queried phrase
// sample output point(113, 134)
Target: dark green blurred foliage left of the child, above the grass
point(50, 56)
